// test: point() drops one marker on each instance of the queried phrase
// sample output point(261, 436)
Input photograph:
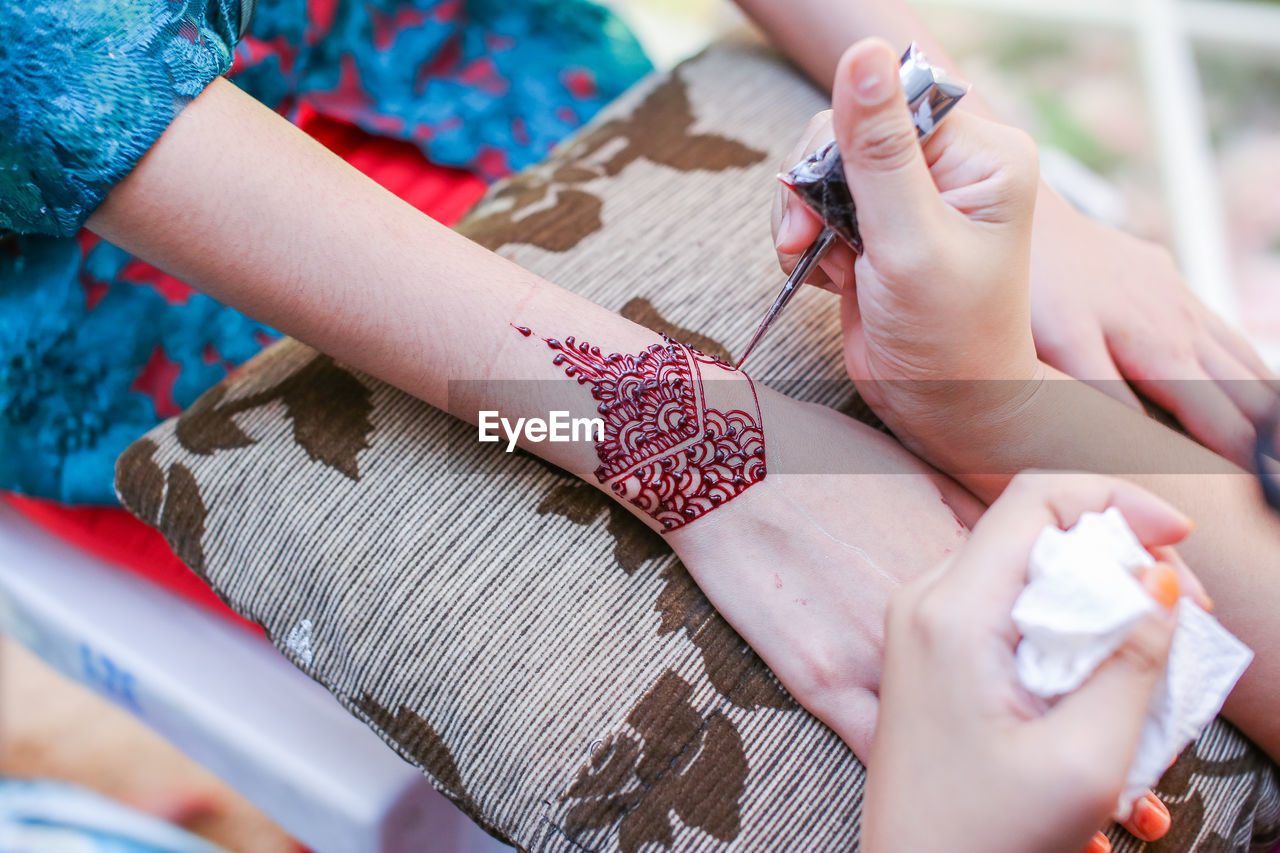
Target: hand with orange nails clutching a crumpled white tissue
point(963, 759)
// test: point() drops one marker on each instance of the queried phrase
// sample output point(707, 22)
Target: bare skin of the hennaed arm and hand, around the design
point(376, 284)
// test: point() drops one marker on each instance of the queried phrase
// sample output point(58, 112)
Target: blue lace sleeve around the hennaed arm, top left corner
point(86, 86)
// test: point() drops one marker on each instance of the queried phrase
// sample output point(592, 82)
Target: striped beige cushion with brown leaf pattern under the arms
point(524, 641)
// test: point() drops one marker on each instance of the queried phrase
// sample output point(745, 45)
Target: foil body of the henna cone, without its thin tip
point(820, 180)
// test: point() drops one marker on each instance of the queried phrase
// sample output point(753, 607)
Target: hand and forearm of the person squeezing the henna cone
point(938, 339)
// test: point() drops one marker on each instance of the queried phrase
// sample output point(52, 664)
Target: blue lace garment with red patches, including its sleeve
point(94, 346)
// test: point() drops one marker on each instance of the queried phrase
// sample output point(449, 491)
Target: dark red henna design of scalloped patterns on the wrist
point(665, 450)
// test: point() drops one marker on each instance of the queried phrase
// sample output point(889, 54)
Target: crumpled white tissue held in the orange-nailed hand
point(1081, 601)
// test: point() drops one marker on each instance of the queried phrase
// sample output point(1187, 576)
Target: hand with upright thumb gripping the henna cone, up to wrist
point(941, 293)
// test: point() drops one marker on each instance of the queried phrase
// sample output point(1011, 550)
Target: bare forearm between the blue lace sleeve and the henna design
point(249, 209)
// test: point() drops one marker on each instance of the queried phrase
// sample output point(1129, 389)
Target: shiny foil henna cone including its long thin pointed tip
point(820, 180)
